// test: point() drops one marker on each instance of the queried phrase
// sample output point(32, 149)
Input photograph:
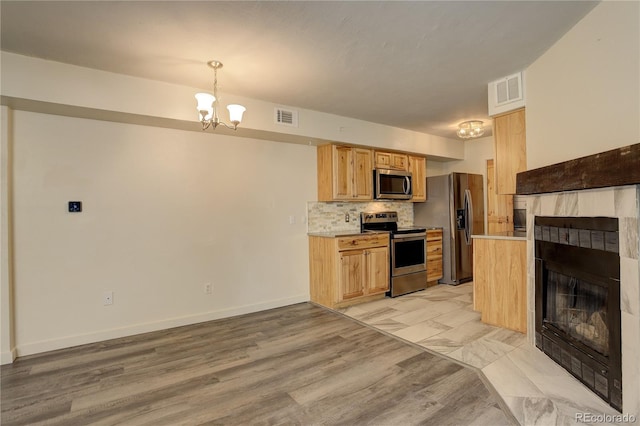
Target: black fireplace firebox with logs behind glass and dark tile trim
point(578, 300)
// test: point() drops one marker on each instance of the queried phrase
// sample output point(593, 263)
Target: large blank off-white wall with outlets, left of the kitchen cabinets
point(165, 211)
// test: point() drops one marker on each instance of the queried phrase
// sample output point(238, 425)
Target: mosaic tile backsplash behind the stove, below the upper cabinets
point(330, 216)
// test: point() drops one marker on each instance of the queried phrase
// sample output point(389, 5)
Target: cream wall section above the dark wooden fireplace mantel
point(583, 94)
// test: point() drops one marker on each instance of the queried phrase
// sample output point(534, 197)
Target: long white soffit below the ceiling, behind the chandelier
point(65, 89)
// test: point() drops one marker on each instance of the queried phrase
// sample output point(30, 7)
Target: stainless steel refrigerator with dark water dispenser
point(455, 202)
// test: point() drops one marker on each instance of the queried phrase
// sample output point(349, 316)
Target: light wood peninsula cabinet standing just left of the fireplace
point(499, 279)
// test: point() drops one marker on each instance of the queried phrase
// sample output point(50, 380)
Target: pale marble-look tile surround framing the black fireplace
point(623, 203)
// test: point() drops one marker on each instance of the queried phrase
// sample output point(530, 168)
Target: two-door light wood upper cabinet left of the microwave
point(344, 173)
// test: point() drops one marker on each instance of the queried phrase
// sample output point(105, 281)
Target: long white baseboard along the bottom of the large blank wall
point(81, 339)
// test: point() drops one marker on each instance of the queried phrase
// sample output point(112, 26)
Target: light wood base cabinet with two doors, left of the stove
point(348, 270)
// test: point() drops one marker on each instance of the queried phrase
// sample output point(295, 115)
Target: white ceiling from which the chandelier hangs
point(420, 65)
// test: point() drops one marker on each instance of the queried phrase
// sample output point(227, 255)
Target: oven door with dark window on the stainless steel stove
point(408, 253)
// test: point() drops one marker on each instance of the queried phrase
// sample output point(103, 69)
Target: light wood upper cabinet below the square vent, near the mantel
point(509, 134)
